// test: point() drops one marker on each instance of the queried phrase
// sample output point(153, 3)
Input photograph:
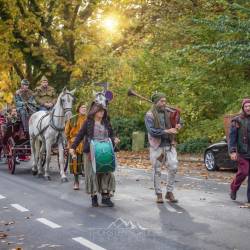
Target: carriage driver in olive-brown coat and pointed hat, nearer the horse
point(45, 95)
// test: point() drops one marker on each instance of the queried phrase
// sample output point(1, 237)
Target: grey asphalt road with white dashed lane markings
point(35, 214)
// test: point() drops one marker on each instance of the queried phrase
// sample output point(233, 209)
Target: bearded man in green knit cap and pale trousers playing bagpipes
point(161, 137)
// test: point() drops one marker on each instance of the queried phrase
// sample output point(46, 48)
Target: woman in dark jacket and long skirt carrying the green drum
point(97, 127)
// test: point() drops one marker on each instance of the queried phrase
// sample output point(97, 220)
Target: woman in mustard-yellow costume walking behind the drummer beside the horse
point(72, 128)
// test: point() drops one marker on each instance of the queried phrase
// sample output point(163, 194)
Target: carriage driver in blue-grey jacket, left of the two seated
point(25, 103)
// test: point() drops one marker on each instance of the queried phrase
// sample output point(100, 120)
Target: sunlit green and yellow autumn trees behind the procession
point(196, 51)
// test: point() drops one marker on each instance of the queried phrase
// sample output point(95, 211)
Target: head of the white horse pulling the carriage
point(66, 101)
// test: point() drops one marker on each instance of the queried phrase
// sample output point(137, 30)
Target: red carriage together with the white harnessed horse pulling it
point(16, 144)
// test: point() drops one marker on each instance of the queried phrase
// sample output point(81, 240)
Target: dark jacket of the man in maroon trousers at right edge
point(239, 136)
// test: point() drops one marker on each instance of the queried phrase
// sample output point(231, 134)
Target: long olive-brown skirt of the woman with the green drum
point(98, 182)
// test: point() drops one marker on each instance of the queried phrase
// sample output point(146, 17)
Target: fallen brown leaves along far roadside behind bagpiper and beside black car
point(188, 165)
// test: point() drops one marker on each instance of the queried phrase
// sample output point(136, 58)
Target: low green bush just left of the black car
point(193, 146)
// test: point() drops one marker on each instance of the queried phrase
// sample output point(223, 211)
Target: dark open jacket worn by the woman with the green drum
point(86, 133)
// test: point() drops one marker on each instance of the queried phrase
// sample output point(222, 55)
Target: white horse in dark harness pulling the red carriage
point(46, 129)
